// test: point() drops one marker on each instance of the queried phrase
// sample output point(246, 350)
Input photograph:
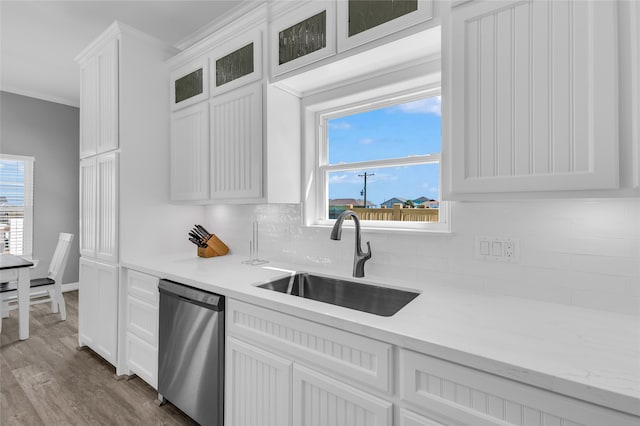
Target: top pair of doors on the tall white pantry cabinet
point(99, 101)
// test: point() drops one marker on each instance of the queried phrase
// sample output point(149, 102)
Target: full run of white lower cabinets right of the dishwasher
point(288, 371)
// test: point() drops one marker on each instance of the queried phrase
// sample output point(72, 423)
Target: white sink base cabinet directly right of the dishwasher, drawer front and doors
point(279, 383)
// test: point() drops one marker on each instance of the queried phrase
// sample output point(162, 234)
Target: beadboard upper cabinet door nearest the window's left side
point(236, 144)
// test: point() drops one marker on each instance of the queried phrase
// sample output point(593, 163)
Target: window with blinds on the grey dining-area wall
point(16, 204)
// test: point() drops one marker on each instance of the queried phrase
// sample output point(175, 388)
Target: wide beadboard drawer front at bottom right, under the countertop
point(473, 397)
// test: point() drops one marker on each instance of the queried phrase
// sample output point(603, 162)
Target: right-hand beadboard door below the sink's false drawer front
point(320, 400)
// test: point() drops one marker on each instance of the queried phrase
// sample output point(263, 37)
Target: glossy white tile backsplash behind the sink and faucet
point(577, 252)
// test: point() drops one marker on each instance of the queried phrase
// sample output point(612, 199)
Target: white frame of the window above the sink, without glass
point(316, 131)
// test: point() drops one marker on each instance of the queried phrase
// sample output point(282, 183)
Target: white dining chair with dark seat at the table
point(42, 290)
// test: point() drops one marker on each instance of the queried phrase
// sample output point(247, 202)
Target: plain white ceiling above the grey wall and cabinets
point(40, 39)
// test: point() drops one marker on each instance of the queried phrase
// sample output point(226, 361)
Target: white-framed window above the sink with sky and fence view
point(382, 160)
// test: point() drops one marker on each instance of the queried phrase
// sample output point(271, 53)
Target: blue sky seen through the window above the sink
point(394, 132)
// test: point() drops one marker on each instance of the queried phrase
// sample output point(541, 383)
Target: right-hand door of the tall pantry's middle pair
point(107, 207)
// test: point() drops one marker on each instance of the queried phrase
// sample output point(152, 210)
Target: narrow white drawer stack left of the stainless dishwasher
point(142, 326)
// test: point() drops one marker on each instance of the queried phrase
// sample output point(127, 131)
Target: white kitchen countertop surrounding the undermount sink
point(583, 353)
